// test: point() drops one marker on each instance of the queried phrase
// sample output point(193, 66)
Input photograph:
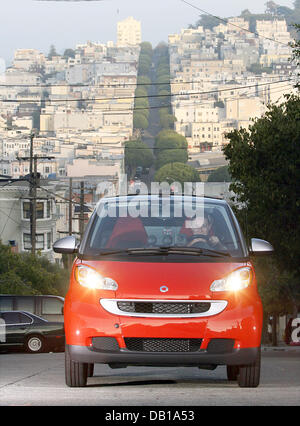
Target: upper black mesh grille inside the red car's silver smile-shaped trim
point(176, 308)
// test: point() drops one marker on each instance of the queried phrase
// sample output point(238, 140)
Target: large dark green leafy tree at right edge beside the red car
point(264, 163)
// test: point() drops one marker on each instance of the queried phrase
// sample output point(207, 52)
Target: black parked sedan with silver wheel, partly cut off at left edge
point(30, 332)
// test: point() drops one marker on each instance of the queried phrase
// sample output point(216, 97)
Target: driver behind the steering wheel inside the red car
point(202, 234)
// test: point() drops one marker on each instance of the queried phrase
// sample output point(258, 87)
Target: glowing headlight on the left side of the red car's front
point(90, 278)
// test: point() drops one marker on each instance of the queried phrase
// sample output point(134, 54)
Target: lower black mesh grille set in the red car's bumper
point(141, 344)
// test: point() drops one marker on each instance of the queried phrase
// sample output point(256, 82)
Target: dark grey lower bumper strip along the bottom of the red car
point(125, 357)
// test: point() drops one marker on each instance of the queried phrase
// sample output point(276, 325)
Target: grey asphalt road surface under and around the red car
point(38, 380)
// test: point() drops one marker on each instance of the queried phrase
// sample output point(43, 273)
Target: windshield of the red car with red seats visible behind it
point(121, 226)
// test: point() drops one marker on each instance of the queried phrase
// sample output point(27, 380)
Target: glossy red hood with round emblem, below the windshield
point(164, 280)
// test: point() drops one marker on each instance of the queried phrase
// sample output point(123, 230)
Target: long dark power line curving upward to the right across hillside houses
point(148, 96)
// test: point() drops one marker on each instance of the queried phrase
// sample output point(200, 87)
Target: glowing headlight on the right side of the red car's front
point(235, 281)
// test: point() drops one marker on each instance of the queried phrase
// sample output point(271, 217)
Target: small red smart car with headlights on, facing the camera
point(163, 281)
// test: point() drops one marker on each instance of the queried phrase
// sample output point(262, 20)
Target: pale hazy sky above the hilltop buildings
point(38, 24)
